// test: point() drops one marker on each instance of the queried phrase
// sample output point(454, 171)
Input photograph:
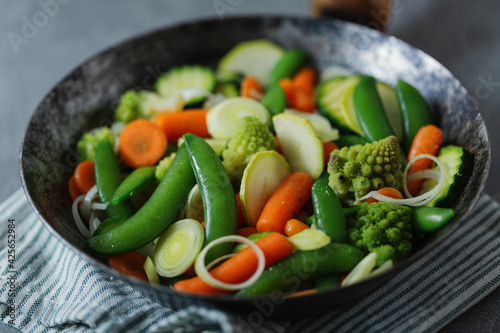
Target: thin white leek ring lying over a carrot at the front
point(203, 273)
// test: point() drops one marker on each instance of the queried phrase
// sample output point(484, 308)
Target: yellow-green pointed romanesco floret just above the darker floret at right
point(356, 170)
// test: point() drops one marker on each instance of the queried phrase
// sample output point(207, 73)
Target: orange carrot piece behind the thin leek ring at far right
point(428, 140)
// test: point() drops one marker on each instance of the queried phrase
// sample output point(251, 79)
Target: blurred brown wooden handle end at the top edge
point(372, 13)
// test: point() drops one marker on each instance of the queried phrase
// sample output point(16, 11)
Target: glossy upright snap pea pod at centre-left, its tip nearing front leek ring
point(219, 201)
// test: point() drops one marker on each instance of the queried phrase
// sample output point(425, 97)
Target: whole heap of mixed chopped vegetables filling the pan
point(264, 175)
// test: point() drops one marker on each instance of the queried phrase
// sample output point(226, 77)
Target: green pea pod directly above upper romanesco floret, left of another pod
point(370, 111)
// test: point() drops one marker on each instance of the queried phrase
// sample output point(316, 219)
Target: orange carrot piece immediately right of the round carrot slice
point(176, 124)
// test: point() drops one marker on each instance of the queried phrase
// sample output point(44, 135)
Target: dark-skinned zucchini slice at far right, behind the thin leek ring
point(459, 165)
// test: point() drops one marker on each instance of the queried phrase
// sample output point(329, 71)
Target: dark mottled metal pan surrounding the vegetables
point(85, 99)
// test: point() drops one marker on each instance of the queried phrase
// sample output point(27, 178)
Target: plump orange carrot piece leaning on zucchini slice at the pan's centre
point(285, 202)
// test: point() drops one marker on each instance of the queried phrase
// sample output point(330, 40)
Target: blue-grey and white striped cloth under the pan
point(47, 288)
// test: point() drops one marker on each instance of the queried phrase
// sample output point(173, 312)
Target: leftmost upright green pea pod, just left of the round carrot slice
point(108, 178)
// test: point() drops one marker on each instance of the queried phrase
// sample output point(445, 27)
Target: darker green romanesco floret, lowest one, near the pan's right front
point(381, 228)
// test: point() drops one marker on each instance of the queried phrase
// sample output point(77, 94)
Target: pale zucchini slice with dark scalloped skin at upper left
point(181, 78)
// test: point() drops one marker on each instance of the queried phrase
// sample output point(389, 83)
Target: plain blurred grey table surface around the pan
point(461, 34)
